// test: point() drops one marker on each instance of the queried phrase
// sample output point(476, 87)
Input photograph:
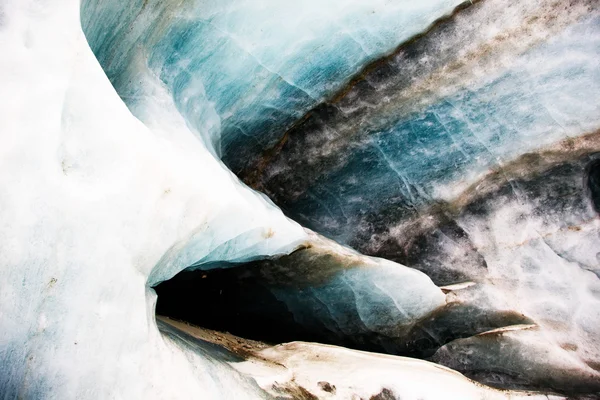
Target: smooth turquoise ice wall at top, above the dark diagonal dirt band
point(241, 72)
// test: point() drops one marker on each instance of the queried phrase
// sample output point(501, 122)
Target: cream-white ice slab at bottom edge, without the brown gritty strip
point(368, 375)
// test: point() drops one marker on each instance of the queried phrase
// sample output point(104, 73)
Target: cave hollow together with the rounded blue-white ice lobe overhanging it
point(323, 292)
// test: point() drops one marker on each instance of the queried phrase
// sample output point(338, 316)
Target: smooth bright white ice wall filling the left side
point(95, 207)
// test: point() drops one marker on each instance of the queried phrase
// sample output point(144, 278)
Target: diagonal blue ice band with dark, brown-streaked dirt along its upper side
point(424, 125)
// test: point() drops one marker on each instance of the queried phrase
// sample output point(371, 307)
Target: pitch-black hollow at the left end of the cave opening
point(230, 300)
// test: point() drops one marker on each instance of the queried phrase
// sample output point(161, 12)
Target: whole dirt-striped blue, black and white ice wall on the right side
point(468, 154)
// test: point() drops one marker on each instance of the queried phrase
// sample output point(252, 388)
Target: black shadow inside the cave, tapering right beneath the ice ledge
point(244, 302)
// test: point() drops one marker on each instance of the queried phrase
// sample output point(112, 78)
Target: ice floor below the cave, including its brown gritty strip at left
point(310, 370)
